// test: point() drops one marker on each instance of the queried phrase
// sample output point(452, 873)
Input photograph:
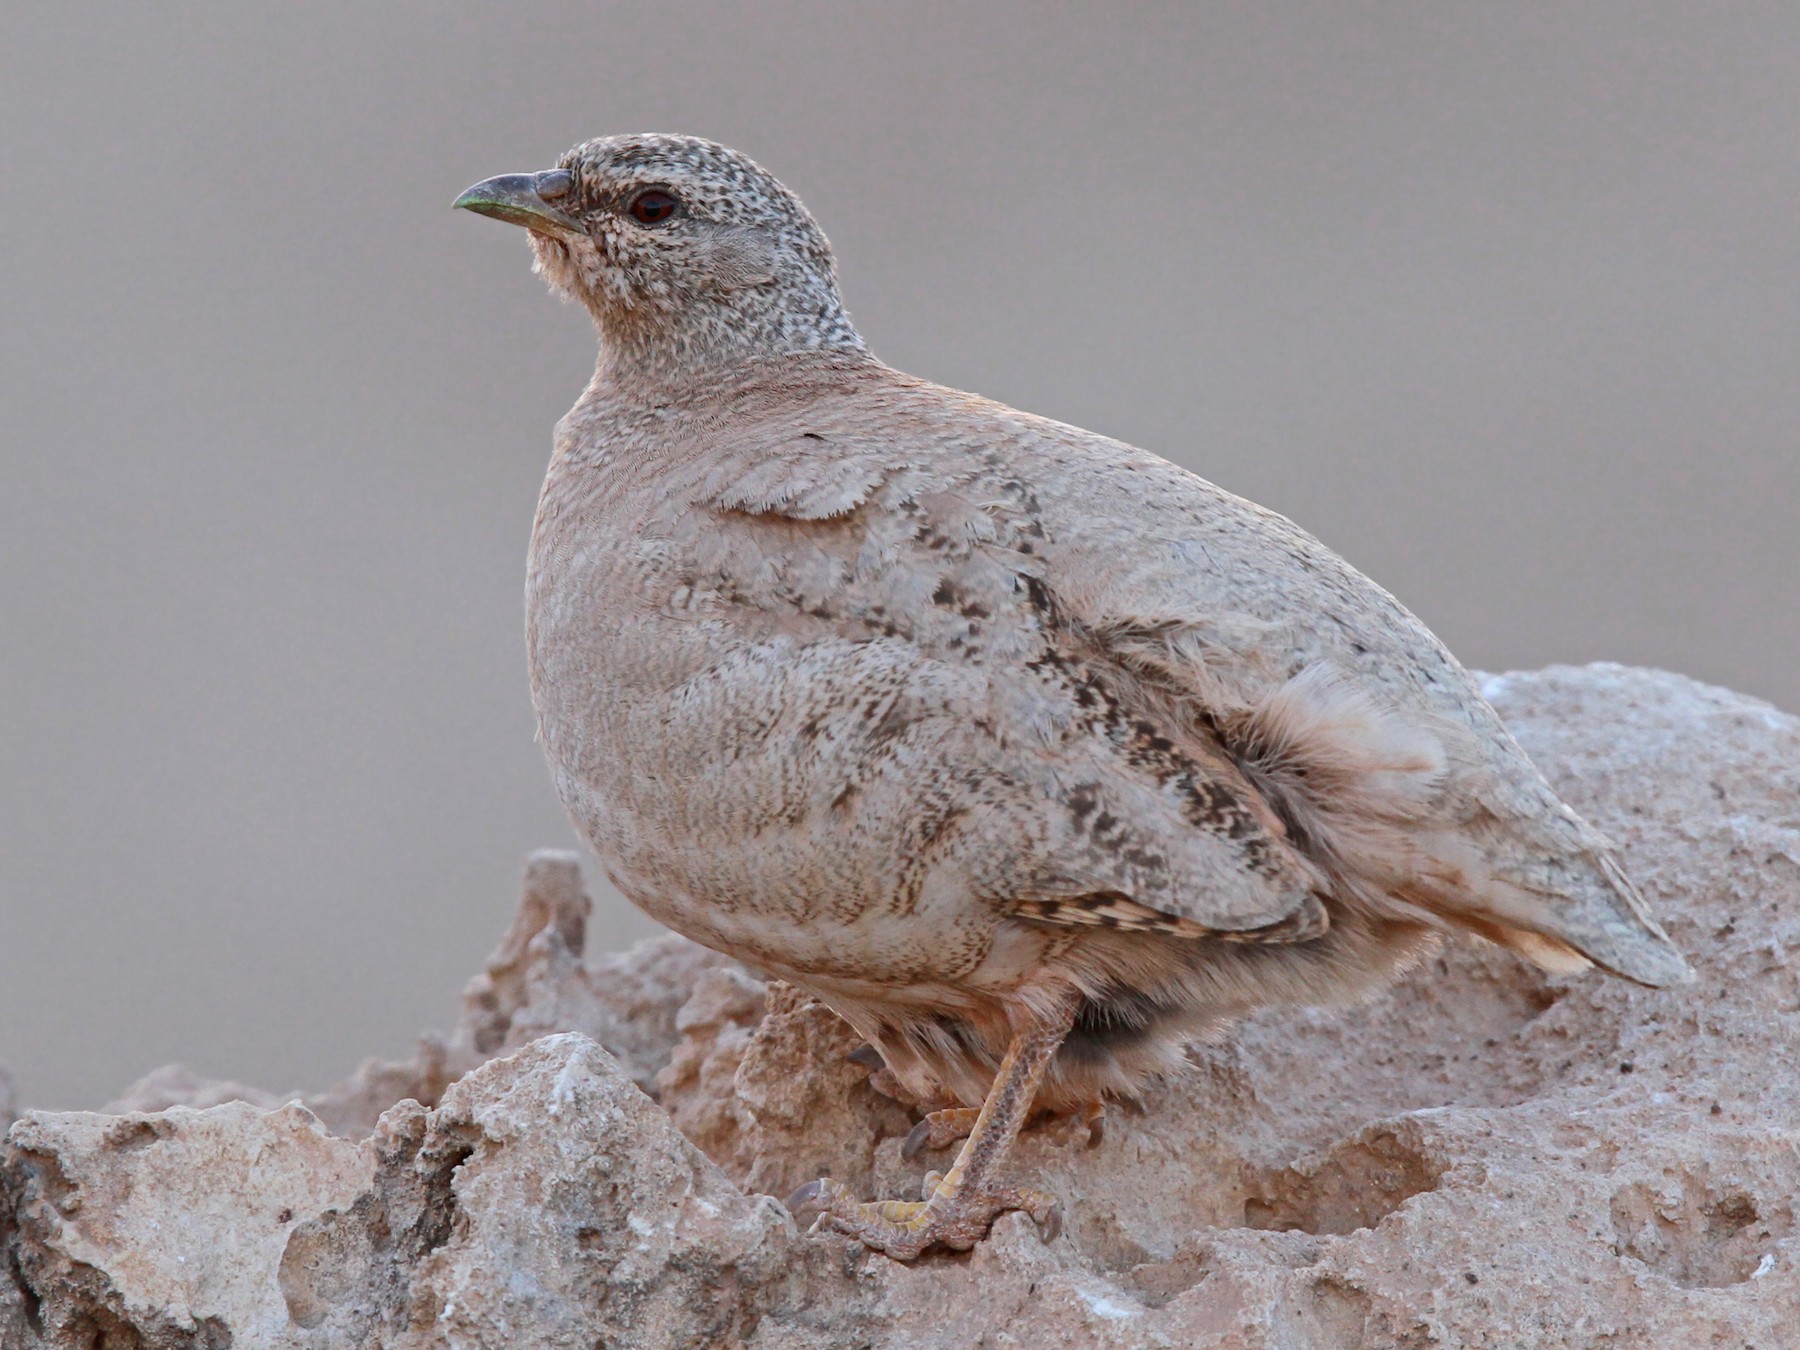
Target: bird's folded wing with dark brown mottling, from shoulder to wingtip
point(1099, 807)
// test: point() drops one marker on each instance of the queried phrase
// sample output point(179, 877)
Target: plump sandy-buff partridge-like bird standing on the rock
point(1030, 753)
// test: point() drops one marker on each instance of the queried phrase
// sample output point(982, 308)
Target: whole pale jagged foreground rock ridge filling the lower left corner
point(544, 1192)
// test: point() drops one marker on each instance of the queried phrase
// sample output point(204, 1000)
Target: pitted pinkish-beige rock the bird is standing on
point(1482, 1156)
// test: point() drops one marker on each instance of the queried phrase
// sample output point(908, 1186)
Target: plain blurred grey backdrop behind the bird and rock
point(1500, 300)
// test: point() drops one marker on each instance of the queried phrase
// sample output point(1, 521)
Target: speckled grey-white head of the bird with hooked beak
point(688, 255)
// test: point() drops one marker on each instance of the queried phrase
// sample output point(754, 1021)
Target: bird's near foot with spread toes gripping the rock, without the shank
point(949, 1216)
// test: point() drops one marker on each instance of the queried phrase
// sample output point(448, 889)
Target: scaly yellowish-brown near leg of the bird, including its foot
point(966, 1201)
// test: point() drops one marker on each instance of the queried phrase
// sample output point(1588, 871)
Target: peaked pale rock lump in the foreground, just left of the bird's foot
point(546, 1192)
